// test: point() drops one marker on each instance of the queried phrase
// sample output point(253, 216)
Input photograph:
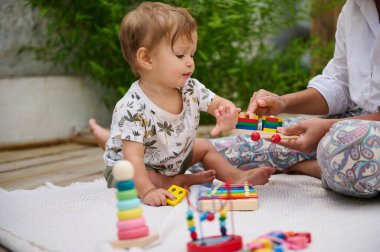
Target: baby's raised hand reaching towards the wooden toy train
point(226, 118)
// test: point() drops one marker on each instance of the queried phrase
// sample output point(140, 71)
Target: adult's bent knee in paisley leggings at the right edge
point(349, 157)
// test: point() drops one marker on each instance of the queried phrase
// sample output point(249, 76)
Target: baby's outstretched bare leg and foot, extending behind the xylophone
point(212, 160)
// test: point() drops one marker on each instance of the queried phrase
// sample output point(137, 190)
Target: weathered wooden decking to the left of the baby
point(77, 160)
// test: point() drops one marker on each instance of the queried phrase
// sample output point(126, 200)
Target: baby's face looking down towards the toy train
point(174, 66)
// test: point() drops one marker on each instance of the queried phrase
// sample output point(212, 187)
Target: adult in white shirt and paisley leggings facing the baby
point(348, 152)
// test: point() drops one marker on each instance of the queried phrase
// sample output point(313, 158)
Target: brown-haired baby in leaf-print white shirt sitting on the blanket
point(154, 125)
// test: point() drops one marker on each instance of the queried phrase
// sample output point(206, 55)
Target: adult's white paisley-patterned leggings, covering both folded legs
point(349, 155)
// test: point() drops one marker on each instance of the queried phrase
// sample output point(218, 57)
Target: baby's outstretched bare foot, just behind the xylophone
point(256, 176)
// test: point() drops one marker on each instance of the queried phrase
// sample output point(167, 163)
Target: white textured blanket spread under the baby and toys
point(82, 217)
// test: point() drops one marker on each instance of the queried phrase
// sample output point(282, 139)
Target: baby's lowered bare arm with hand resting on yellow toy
point(147, 191)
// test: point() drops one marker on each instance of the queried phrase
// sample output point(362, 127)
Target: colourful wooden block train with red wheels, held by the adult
point(248, 124)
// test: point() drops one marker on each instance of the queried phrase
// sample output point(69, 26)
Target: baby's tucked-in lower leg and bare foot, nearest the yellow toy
point(182, 180)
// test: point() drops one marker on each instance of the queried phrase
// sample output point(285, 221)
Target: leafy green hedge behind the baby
point(234, 55)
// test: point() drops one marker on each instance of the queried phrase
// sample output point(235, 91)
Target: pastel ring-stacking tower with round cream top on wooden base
point(132, 229)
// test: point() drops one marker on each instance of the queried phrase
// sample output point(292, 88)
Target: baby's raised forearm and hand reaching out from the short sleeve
point(225, 113)
